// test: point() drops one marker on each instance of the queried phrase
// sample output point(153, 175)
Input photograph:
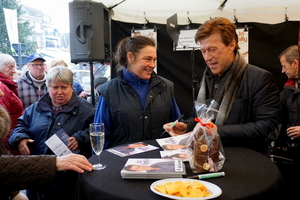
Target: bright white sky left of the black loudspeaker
point(58, 10)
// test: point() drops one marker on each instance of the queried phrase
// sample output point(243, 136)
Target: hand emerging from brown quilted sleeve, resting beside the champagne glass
point(73, 162)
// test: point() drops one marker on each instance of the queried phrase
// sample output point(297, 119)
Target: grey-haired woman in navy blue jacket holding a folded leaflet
point(58, 110)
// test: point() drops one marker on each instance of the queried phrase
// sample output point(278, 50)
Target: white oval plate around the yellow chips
point(212, 188)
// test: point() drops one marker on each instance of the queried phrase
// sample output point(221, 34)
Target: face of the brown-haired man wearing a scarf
point(216, 55)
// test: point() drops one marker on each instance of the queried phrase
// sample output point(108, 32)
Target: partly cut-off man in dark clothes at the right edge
point(290, 101)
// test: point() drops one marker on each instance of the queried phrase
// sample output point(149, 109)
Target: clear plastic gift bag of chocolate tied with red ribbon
point(205, 146)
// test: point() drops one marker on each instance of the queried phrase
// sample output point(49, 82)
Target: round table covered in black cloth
point(248, 175)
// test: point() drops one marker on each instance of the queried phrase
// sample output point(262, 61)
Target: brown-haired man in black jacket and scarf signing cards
point(249, 112)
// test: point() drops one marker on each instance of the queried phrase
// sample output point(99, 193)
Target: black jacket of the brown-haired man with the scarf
point(255, 113)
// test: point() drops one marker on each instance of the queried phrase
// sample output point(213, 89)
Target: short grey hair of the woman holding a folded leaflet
point(60, 73)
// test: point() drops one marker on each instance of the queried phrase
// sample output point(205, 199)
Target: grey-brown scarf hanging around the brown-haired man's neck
point(232, 80)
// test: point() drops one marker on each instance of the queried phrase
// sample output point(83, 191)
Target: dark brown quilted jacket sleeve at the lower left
point(21, 172)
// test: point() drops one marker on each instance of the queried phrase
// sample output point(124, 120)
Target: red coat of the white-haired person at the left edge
point(10, 102)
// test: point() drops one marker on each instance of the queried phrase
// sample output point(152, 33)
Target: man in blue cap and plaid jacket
point(31, 86)
